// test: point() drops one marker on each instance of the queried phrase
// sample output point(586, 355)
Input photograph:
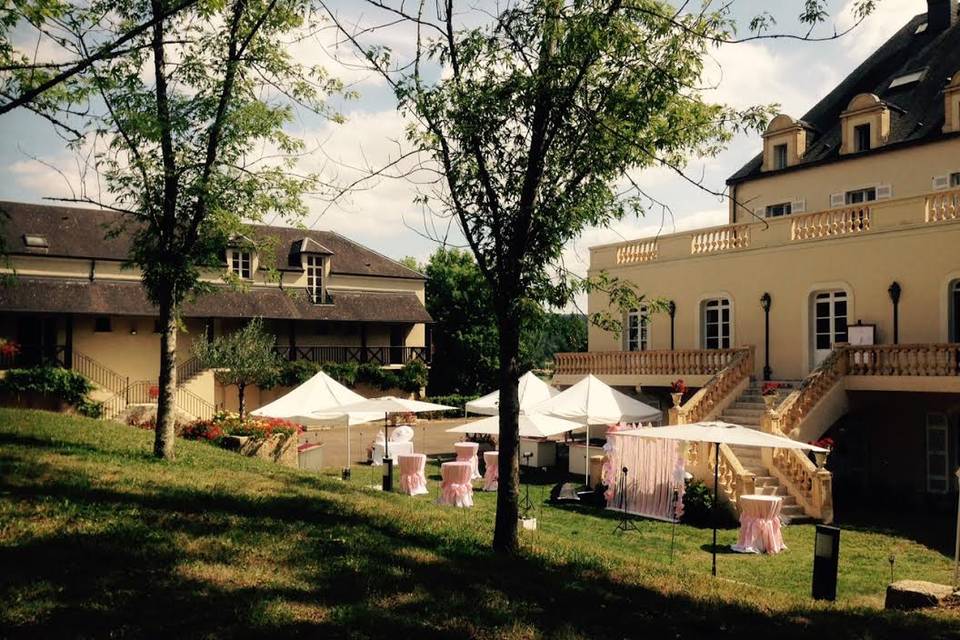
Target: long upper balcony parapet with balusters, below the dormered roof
point(879, 216)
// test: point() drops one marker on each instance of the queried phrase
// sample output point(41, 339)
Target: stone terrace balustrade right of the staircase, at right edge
point(902, 360)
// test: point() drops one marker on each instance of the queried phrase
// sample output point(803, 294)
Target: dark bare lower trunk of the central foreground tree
point(508, 488)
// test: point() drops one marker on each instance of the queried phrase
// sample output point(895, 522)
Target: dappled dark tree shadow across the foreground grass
point(190, 563)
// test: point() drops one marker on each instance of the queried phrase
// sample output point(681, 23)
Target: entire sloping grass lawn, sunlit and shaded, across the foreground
point(98, 538)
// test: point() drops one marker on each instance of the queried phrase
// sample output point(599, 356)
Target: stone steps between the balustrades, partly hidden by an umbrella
point(748, 411)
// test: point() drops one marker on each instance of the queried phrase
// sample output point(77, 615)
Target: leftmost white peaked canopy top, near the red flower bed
point(319, 394)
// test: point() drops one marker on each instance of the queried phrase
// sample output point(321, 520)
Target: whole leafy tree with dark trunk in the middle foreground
point(535, 115)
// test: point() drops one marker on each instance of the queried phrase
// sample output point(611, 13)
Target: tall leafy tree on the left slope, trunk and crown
point(186, 102)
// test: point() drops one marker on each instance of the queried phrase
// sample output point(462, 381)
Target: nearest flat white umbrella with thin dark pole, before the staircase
point(718, 433)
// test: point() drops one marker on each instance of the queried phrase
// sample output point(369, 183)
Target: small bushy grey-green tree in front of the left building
point(242, 358)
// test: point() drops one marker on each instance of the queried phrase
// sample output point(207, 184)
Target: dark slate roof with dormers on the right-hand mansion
point(917, 108)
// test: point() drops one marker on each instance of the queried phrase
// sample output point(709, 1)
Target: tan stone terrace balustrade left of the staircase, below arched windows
point(679, 362)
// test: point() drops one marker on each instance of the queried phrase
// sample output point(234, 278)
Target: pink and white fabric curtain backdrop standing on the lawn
point(655, 470)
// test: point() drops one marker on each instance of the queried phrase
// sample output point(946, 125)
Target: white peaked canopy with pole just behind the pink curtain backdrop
point(592, 401)
